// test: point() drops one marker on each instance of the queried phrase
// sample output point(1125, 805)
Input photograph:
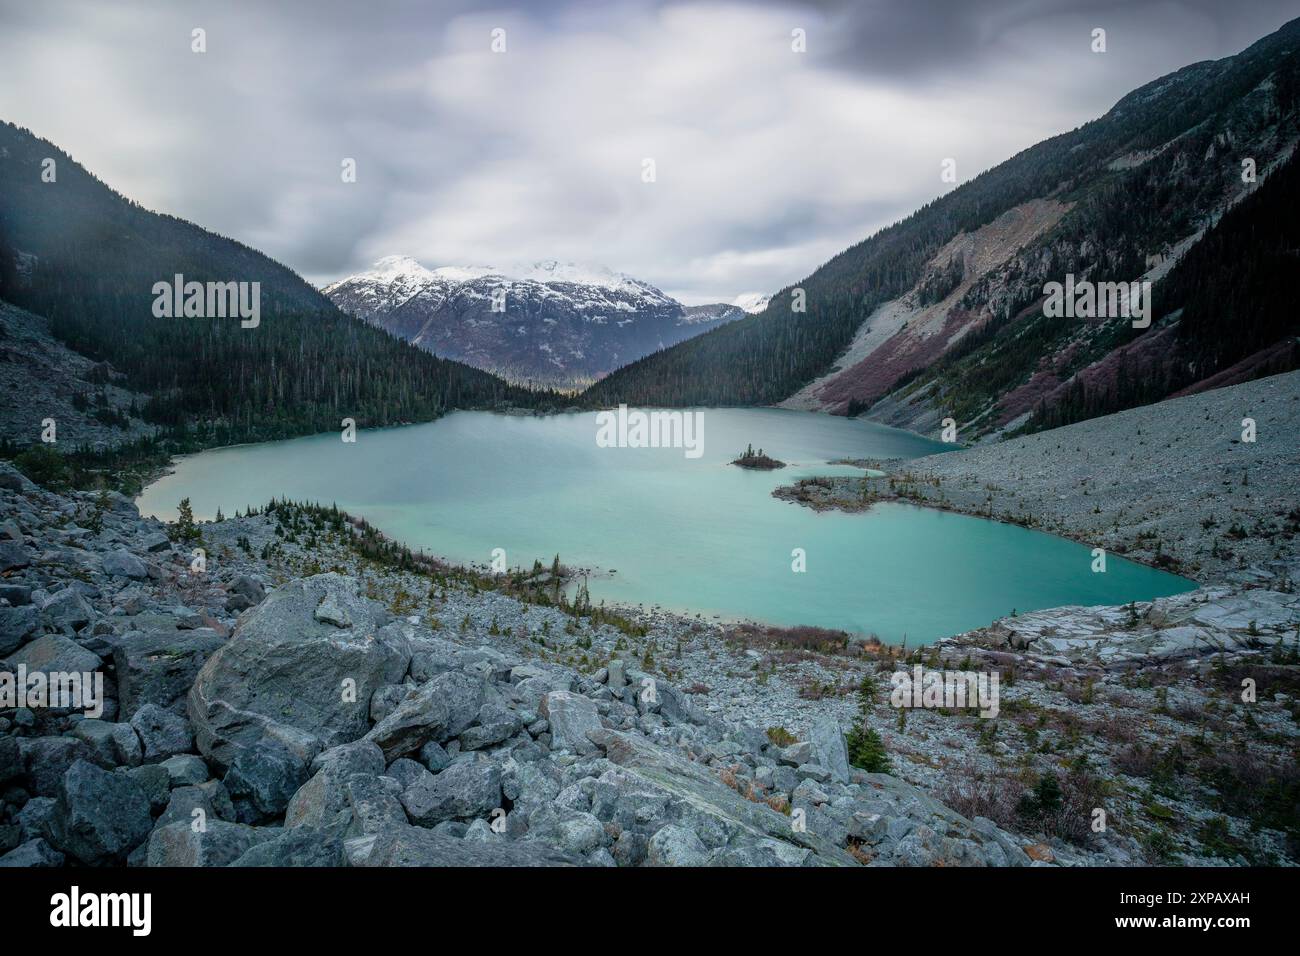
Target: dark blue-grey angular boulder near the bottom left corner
point(99, 817)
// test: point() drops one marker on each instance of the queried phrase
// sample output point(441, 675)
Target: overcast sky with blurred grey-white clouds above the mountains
point(768, 162)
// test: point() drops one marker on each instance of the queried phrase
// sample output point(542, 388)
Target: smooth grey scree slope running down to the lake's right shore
point(1156, 485)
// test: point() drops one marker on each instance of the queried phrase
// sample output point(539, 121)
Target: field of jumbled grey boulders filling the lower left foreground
point(257, 717)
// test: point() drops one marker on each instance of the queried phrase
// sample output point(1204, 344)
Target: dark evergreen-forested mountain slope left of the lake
point(88, 259)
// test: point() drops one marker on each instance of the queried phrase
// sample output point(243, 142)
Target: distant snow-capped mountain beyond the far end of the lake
point(547, 323)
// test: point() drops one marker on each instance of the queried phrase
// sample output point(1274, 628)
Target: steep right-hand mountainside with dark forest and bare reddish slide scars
point(942, 313)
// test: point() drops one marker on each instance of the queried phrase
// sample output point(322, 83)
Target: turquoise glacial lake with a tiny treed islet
point(686, 534)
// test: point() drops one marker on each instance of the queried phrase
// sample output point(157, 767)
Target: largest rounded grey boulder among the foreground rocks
point(300, 669)
